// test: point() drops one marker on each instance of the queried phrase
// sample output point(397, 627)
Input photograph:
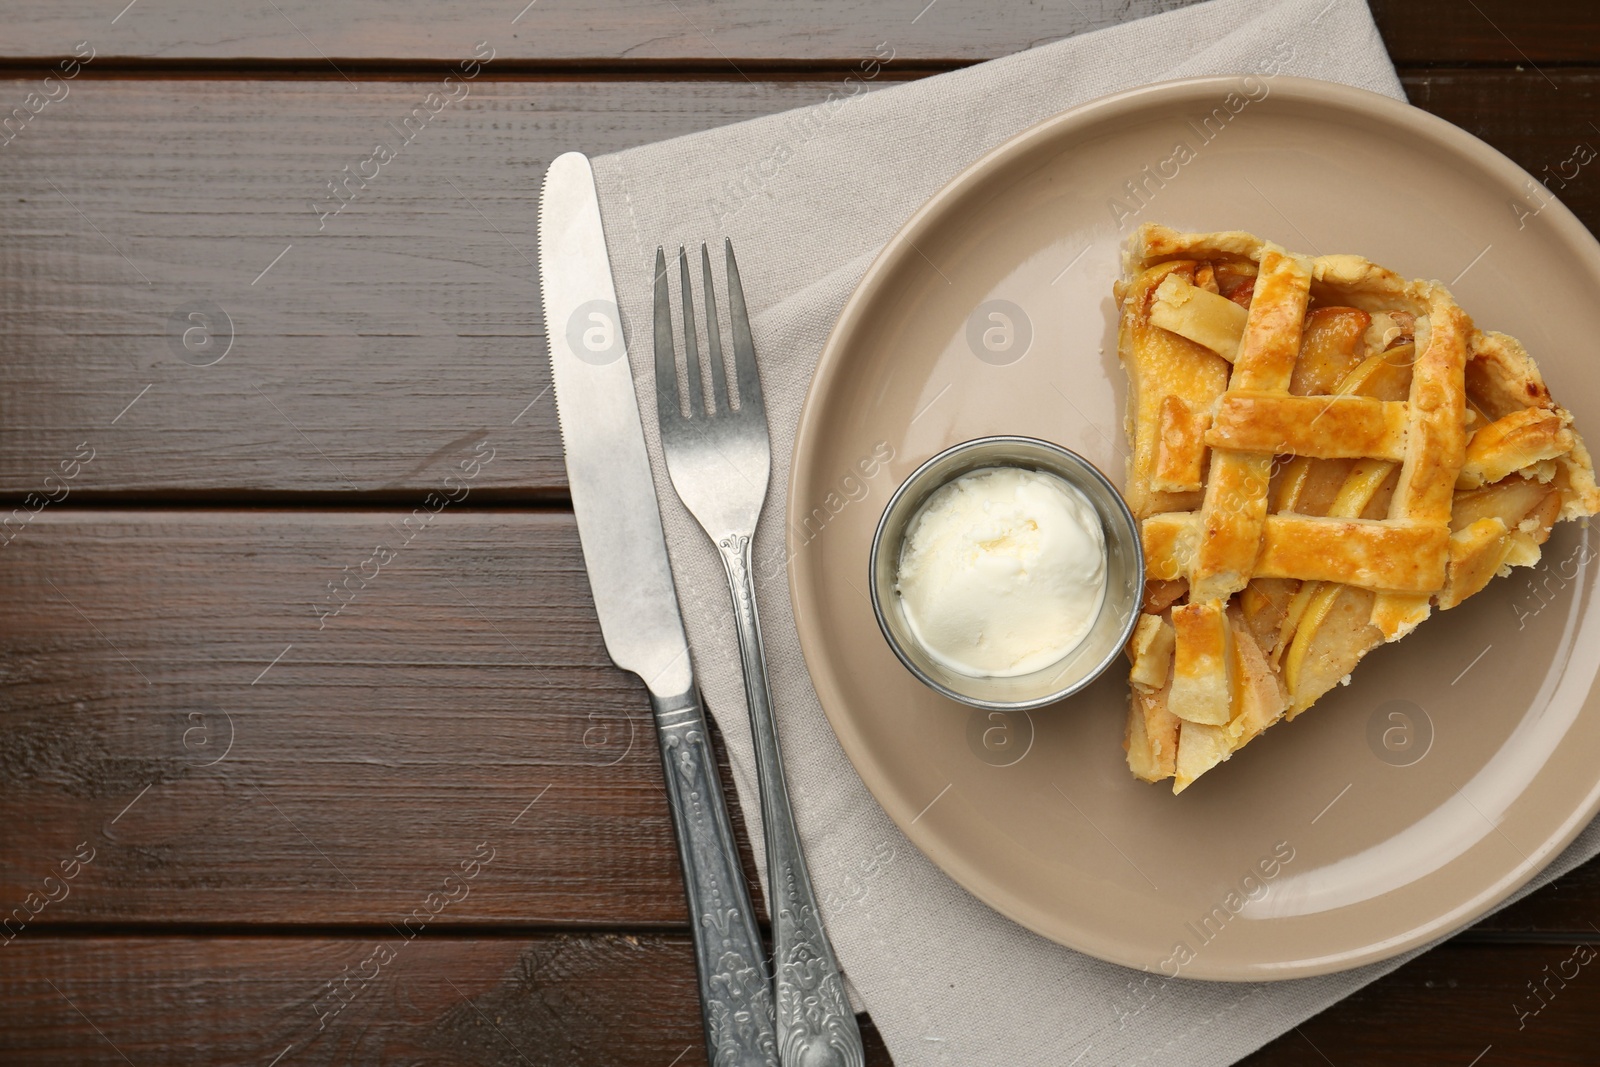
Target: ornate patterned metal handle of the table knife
point(737, 991)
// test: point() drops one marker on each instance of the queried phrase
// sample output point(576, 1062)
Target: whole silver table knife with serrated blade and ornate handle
point(626, 557)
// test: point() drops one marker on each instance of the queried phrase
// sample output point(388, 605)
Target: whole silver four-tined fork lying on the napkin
point(721, 460)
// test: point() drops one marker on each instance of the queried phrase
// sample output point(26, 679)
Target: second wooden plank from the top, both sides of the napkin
point(369, 354)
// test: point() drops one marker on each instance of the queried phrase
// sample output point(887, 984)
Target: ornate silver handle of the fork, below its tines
point(815, 1023)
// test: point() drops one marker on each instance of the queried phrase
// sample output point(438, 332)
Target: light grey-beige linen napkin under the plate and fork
point(810, 198)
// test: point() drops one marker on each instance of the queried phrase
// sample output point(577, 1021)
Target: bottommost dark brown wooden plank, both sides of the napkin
point(623, 1001)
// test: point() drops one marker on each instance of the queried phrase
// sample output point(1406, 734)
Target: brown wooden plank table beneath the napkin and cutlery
point(313, 757)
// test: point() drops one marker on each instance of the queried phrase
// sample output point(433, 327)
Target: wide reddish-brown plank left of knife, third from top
point(170, 705)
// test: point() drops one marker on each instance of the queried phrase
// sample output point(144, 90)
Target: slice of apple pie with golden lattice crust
point(1322, 455)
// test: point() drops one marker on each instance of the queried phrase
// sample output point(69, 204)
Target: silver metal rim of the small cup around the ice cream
point(1129, 533)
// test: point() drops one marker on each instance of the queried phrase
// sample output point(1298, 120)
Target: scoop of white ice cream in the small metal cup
point(1002, 572)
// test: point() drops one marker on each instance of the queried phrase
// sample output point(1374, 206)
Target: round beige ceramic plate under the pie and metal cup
point(1454, 767)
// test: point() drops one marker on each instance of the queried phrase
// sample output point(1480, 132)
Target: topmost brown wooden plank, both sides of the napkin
point(748, 33)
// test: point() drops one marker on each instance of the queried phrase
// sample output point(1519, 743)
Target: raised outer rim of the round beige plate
point(1356, 103)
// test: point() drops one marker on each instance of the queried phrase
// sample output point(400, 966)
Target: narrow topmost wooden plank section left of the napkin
point(612, 31)
